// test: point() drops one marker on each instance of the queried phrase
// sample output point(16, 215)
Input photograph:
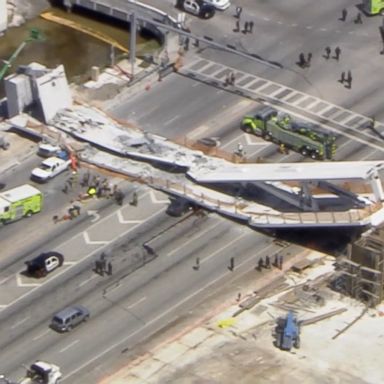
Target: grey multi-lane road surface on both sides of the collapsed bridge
point(141, 297)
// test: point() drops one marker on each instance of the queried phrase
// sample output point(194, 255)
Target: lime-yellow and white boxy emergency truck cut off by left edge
point(20, 202)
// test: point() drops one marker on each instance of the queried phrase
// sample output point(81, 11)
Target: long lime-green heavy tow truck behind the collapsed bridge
point(281, 129)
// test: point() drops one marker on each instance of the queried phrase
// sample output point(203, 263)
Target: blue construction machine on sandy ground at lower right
point(287, 332)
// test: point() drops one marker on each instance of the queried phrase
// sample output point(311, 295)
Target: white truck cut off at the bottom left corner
point(39, 372)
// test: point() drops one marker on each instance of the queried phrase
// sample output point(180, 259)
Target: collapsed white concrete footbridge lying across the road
point(313, 194)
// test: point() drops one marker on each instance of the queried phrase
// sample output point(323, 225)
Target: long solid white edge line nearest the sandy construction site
point(150, 322)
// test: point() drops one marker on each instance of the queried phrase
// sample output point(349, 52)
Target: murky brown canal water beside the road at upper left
point(77, 51)
